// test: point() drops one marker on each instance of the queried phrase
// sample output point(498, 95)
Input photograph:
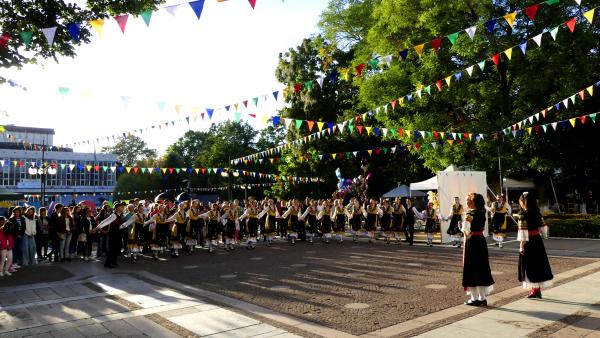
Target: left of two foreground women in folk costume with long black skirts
point(477, 275)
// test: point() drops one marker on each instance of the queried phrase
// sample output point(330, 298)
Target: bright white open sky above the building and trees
point(118, 81)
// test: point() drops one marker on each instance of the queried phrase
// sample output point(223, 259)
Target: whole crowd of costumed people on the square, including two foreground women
point(129, 229)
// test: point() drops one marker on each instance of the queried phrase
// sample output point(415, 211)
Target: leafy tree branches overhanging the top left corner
point(23, 16)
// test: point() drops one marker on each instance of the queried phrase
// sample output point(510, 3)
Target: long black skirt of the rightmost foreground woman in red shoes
point(534, 263)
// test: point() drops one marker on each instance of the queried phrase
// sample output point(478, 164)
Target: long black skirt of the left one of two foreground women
point(476, 264)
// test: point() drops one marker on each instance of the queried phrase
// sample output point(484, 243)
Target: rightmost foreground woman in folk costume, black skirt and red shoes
point(534, 269)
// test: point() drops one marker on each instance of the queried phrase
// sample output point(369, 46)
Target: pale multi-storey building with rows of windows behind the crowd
point(25, 151)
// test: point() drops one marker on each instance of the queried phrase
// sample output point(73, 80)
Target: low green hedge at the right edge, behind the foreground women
point(574, 226)
